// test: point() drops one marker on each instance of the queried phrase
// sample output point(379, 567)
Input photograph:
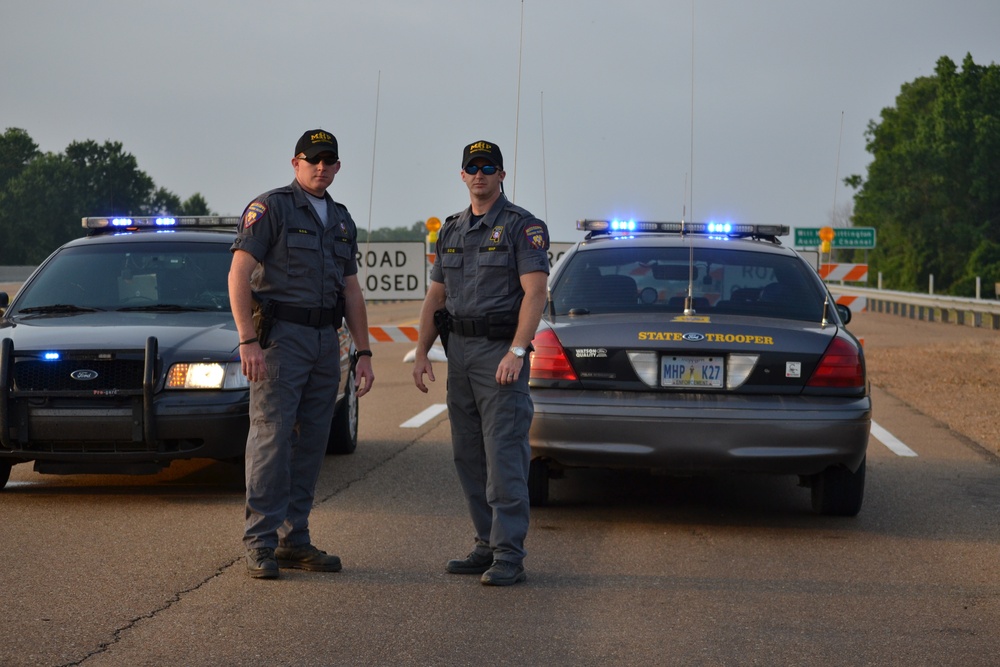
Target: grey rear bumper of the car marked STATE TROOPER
point(700, 433)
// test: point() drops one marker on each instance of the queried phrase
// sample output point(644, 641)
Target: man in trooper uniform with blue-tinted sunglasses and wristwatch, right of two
point(487, 292)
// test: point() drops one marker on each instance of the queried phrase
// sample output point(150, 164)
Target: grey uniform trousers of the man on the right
point(489, 435)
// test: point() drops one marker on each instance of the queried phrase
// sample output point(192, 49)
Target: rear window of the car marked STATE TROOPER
point(631, 279)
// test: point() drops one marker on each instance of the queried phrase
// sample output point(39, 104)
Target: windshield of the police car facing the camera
point(124, 275)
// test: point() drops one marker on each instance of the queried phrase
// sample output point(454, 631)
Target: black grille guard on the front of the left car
point(143, 411)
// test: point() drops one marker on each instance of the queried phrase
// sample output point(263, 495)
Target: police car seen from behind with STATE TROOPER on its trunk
point(698, 348)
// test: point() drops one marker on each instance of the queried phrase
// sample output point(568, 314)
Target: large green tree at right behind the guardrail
point(933, 186)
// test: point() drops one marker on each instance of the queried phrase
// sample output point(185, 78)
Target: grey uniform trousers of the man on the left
point(290, 417)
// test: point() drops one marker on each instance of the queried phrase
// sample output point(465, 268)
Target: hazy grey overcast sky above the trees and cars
point(752, 111)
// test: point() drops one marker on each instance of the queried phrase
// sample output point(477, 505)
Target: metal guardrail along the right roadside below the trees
point(928, 307)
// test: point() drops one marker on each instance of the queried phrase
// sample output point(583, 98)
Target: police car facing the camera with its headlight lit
point(119, 354)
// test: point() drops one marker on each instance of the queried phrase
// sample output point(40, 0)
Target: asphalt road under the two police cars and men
point(624, 569)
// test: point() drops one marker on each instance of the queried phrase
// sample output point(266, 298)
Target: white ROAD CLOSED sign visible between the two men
point(393, 271)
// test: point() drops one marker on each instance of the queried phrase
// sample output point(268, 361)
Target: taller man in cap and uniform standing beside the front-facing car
point(294, 266)
